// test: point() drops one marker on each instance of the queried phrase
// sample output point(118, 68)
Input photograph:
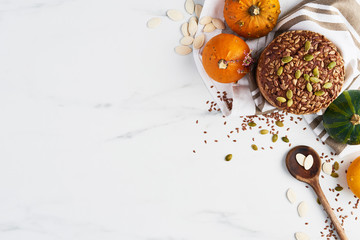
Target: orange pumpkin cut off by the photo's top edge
point(251, 18)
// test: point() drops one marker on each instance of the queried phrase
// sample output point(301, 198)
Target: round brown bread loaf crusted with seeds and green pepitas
point(305, 99)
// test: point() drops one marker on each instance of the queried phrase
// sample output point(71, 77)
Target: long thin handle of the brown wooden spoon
point(329, 211)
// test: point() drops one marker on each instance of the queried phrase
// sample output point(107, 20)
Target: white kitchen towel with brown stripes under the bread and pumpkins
point(337, 20)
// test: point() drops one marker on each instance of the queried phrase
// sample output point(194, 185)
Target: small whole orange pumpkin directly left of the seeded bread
point(226, 58)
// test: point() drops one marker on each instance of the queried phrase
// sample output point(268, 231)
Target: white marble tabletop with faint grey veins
point(98, 130)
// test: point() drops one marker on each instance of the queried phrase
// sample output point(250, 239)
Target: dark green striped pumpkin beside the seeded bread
point(341, 119)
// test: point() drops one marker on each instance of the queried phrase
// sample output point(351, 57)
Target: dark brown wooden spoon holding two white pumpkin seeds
point(311, 177)
